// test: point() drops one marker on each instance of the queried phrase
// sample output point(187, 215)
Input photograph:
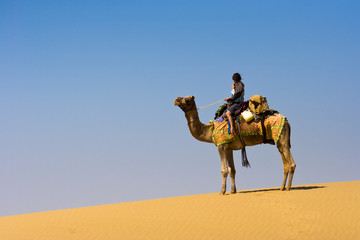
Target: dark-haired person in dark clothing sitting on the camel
point(237, 96)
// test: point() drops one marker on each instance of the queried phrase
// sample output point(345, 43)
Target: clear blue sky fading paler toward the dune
point(87, 90)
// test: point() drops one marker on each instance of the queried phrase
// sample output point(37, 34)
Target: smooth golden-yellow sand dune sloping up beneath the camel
point(316, 211)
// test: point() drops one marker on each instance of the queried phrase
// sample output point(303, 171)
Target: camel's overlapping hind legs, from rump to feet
point(283, 146)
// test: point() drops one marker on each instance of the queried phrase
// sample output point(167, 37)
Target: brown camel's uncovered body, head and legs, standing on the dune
point(203, 132)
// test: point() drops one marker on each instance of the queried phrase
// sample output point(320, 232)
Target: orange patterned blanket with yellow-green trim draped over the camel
point(273, 125)
